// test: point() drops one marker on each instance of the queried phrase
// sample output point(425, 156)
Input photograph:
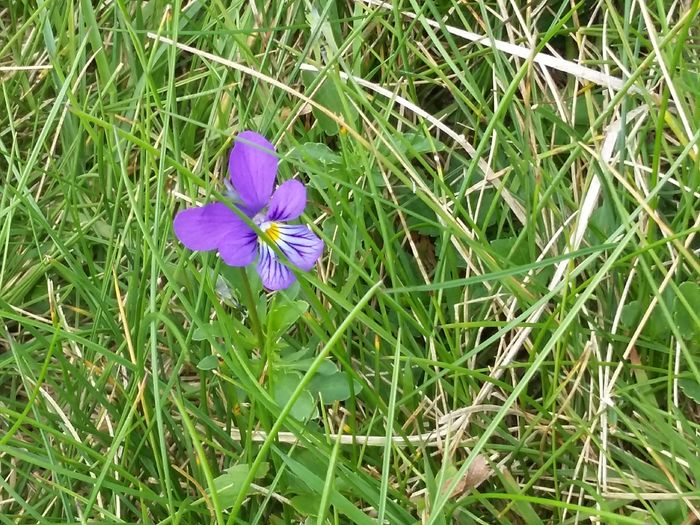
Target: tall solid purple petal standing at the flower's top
point(252, 166)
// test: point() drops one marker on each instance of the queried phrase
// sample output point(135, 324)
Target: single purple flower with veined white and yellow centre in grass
point(253, 167)
